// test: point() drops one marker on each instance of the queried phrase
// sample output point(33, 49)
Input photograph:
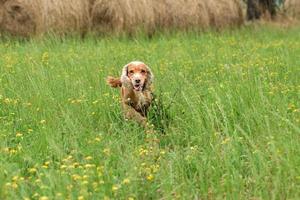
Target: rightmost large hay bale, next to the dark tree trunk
point(198, 14)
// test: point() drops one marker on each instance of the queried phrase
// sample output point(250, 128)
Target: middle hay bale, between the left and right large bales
point(122, 16)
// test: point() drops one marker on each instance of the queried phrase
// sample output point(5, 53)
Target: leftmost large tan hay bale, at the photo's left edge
point(34, 17)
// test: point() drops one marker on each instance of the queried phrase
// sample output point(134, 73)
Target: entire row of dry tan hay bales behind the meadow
point(35, 17)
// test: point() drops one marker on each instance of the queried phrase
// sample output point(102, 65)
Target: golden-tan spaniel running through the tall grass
point(135, 83)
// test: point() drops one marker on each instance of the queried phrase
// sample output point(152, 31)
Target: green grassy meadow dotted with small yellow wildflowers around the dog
point(230, 127)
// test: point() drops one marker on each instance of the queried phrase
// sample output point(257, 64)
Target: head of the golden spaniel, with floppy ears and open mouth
point(139, 75)
